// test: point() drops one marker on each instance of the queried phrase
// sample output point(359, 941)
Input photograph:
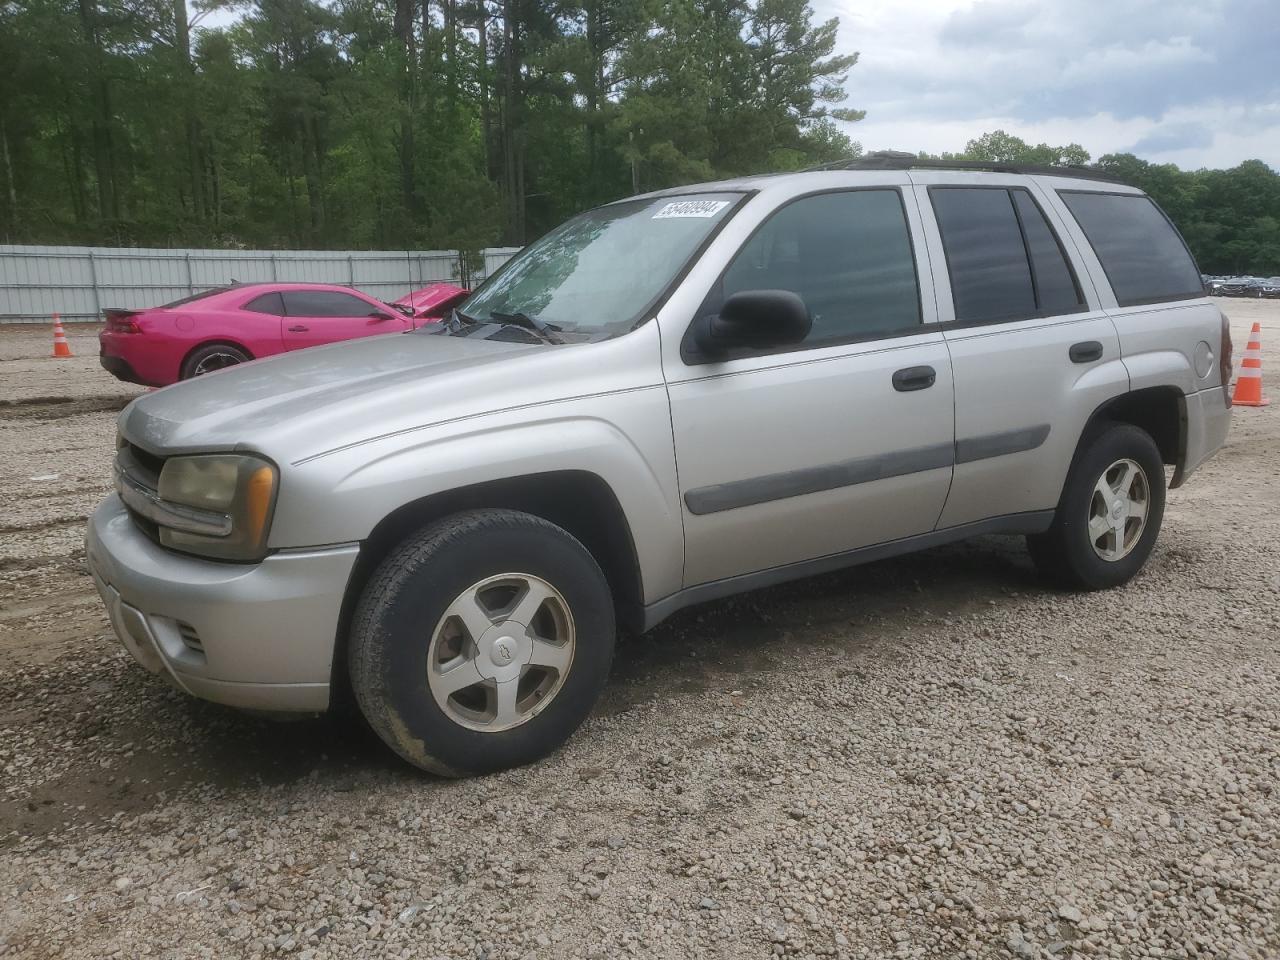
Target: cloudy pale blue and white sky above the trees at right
point(1192, 83)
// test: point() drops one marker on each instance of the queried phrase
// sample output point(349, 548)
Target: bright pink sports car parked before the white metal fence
point(244, 322)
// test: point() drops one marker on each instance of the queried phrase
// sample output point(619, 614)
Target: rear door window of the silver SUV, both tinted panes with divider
point(1003, 258)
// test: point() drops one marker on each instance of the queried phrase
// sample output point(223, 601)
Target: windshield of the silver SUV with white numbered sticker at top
point(596, 276)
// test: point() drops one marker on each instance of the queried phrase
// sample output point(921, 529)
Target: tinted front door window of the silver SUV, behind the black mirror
point(849, 258)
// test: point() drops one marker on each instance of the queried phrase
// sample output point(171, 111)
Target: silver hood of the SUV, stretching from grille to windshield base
point(303, 405)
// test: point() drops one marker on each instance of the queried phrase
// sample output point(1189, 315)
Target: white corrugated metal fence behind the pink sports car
point(80, 282)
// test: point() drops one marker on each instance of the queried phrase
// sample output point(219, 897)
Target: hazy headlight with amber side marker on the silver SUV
point(231, 499)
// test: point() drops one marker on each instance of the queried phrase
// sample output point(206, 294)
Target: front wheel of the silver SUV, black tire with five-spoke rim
point(405, 629)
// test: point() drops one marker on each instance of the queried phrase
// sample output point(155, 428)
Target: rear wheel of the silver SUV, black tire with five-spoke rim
point(1068, 552)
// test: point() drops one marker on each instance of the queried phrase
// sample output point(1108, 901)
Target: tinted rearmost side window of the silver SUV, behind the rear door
point(1142, 254)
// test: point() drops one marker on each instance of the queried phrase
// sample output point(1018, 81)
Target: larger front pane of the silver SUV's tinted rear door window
point(991, 278)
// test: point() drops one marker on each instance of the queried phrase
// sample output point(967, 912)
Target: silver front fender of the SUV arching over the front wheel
point(624, 438)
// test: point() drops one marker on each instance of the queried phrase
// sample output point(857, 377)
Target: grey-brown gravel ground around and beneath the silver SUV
point(927, 757)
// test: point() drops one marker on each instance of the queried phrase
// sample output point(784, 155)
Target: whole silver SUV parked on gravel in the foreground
point(665, 401)
